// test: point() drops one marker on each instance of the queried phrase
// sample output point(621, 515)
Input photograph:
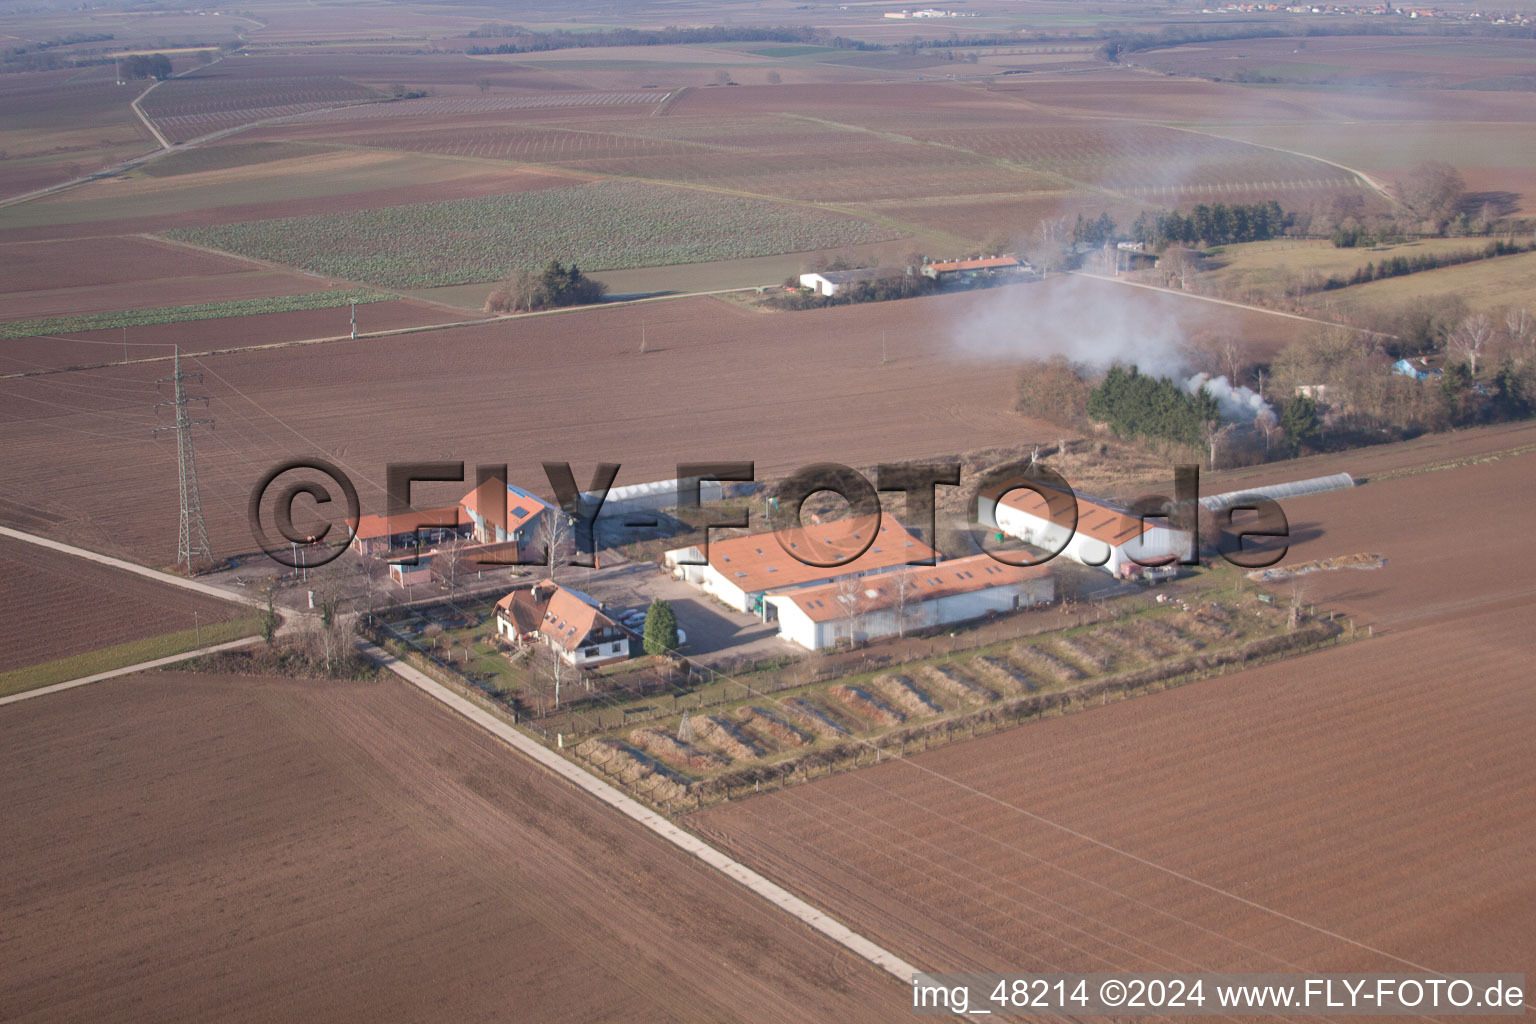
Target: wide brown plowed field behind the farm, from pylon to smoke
point(718, 383)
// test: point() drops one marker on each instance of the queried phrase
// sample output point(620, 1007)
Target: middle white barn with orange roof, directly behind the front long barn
point(744, 570)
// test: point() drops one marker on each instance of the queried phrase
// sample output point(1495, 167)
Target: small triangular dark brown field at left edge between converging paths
point(58, 606)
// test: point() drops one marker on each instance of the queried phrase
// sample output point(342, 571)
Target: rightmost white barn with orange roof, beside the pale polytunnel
point(1105, 538)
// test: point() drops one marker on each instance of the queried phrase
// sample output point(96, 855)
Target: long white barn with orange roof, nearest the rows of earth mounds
point(915, 598)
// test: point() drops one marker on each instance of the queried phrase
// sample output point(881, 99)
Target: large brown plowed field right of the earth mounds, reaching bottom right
point(1363, 808)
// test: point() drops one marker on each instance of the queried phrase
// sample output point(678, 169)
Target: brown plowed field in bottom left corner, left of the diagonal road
point(251, 850)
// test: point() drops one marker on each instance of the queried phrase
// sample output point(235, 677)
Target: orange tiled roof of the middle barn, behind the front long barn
point(767, 561)
